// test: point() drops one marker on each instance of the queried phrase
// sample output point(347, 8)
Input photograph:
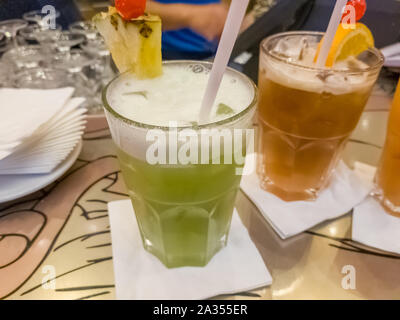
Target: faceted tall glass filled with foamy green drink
point(183, 210)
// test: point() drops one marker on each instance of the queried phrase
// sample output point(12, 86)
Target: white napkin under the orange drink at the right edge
point(374, 227)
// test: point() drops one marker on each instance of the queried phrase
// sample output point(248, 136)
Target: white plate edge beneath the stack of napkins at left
point(16, 186)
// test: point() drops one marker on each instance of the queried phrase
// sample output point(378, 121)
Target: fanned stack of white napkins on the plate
point(38, 129)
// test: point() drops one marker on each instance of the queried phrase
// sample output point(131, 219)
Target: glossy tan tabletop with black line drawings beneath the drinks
point(62, 232)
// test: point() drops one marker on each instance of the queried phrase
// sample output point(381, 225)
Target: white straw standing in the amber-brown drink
point(330, 32)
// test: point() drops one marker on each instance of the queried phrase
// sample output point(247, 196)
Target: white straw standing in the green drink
point(233, 22)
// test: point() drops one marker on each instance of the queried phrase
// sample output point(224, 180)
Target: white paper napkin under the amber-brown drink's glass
point(345, 191)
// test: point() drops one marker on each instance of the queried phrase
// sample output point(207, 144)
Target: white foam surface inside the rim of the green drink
point(176, 95)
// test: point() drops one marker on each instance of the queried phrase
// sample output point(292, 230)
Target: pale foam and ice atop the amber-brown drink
point(301, 51)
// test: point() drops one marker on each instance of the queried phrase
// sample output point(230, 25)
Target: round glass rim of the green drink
point(235, 117)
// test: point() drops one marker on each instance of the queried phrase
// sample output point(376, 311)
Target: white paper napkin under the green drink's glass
point(140, 275)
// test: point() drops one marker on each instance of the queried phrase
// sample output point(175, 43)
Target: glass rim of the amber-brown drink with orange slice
point(377, 52)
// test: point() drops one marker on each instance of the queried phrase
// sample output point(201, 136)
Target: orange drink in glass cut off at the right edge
point(388, 175)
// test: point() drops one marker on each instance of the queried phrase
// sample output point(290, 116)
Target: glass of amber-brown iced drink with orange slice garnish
point(307, 114)
